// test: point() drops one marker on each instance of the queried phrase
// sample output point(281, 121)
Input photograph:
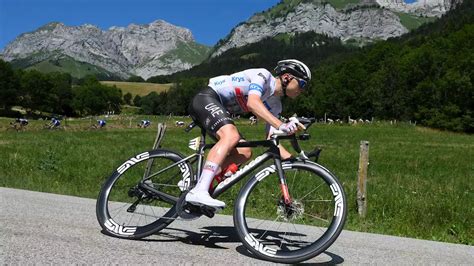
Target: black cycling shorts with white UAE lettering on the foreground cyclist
point(208, 112)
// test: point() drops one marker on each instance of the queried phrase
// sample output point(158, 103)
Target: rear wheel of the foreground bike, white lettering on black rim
point(127, 208)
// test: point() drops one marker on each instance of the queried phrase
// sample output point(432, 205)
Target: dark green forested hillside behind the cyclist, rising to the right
point(424, 76)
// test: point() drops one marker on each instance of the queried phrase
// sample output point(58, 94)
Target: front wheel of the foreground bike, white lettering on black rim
point(326, 211)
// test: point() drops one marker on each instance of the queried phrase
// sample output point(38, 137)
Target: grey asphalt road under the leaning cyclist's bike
point(41, 228)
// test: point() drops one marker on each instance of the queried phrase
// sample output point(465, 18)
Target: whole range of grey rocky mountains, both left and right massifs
point(160, 48)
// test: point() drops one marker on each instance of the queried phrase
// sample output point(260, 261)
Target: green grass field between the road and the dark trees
point(420, 181)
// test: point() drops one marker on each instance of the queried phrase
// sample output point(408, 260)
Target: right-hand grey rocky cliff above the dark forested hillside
point(363, 20)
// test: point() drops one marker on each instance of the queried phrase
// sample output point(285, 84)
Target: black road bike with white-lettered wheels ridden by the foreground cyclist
point(287, 212)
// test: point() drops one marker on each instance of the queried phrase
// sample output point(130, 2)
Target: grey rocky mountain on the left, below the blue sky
point(157, 48)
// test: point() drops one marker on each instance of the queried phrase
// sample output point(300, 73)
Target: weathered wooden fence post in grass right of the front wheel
point(362, 182)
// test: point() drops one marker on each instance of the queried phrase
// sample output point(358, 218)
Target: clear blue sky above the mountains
point(209, 20)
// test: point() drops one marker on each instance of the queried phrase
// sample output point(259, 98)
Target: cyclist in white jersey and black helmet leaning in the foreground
point(252, 90)
